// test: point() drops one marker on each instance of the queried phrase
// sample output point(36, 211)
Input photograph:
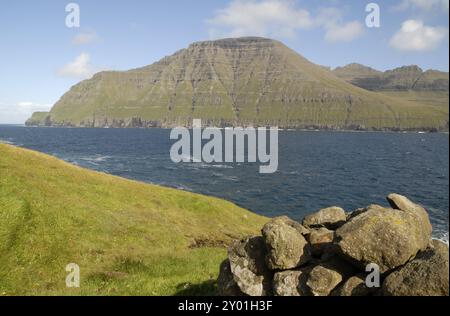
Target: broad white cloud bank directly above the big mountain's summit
point(279, 18)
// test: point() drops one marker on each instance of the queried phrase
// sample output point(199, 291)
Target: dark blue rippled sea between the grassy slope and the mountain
point(316, 169)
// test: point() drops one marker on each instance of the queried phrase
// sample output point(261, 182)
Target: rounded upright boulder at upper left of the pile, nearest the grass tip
point(287, 248)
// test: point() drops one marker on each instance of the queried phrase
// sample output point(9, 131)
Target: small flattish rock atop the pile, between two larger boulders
point(331, 218)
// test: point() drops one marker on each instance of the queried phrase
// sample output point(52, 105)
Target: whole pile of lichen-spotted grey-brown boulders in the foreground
point(293, 260)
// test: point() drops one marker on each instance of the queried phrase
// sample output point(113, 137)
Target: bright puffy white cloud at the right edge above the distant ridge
point(414, 35)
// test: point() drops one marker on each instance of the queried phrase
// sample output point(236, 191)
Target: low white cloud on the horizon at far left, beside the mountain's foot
point(20, 112)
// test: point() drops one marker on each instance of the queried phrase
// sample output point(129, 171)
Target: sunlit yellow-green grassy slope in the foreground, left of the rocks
point(127, 237)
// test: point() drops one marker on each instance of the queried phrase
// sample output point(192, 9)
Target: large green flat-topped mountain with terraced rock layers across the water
point(235, 82)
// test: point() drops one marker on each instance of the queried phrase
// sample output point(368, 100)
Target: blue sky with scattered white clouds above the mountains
point(44, 51)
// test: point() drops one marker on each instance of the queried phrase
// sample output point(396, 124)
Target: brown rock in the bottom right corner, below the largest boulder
point(426, 275)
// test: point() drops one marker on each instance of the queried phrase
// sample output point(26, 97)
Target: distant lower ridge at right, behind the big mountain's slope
point(400, 79)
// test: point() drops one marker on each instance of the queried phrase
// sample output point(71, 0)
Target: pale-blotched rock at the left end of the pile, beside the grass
point(247, 263)
